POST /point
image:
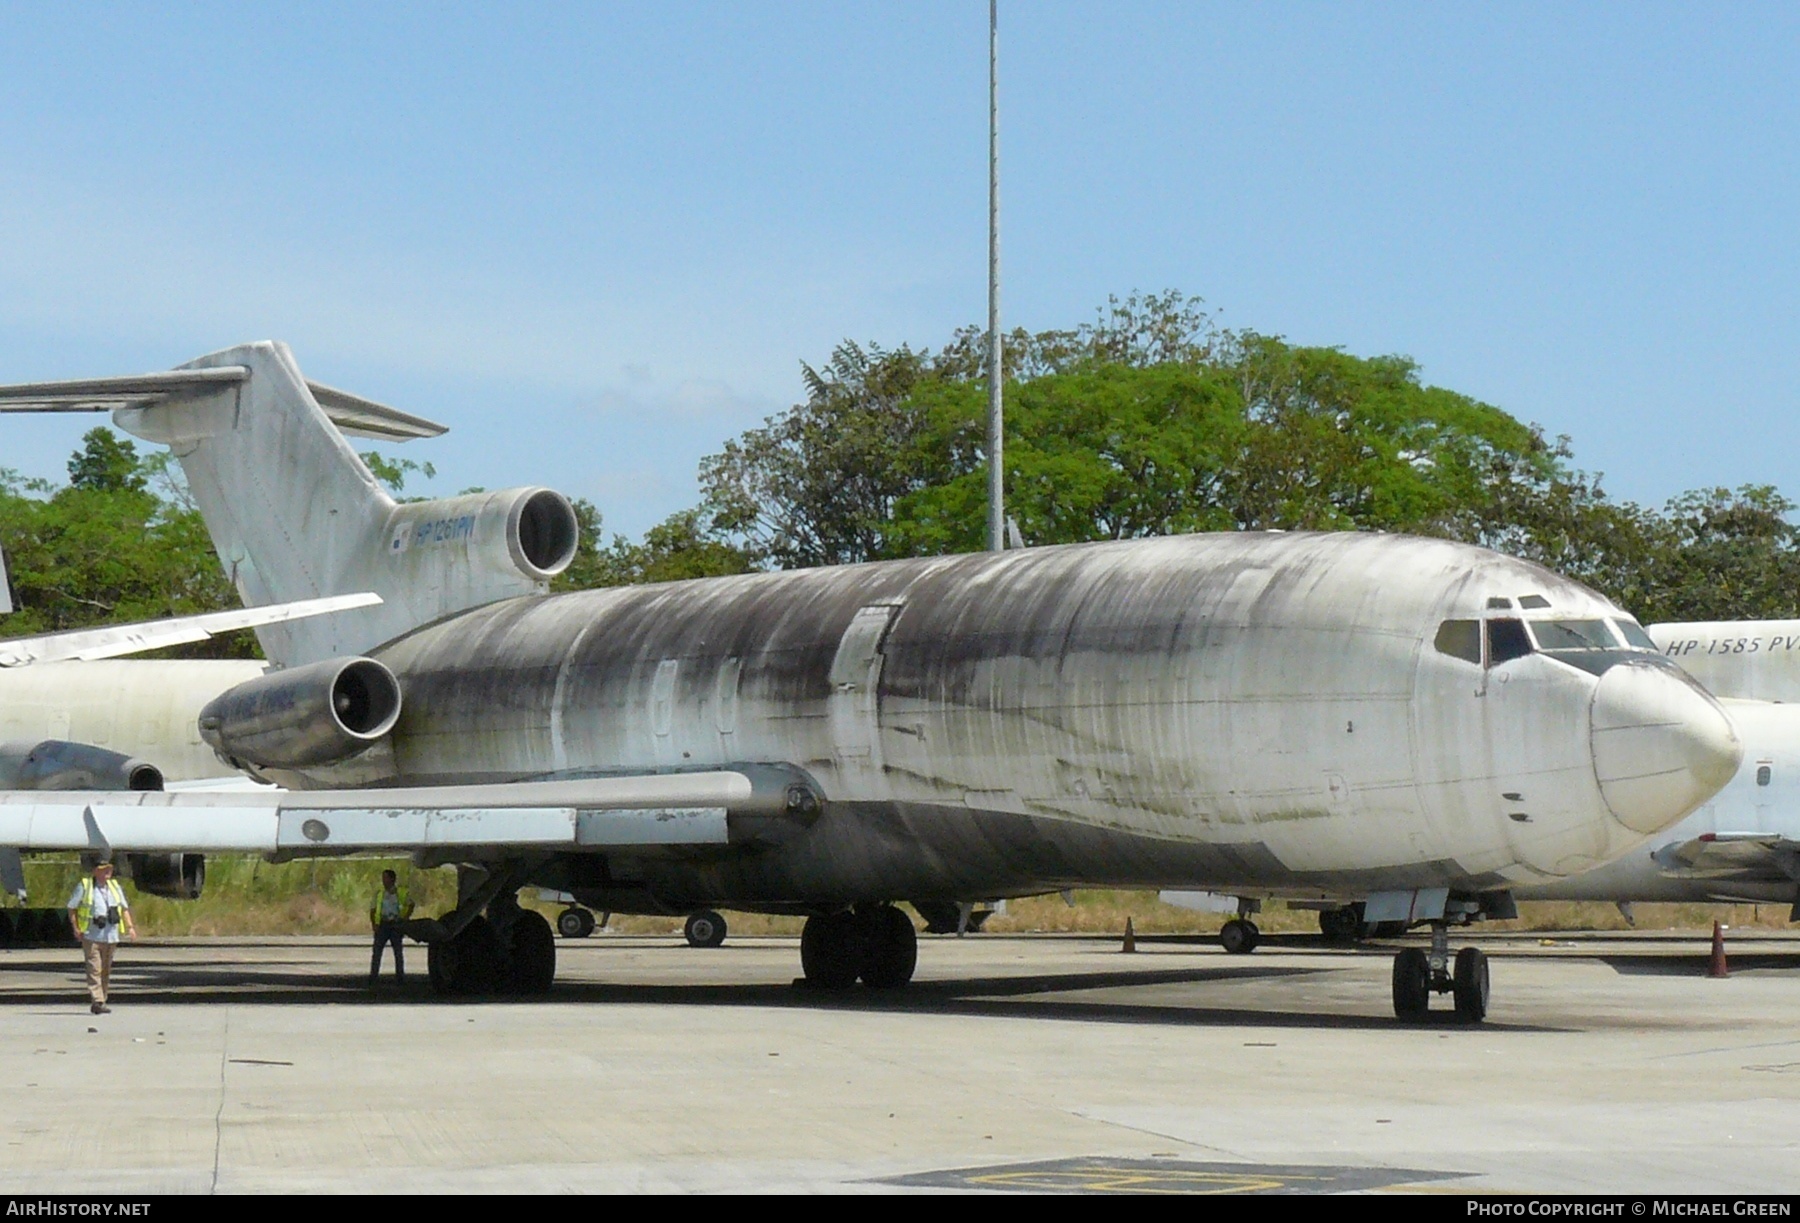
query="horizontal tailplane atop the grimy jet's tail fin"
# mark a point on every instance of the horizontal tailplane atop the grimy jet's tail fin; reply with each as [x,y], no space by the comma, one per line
[350,413]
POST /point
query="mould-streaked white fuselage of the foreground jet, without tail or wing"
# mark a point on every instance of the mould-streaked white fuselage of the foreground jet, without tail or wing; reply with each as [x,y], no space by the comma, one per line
[1257,711]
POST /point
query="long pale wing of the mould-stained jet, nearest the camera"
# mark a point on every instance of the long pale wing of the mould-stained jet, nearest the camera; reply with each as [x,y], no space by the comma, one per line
[588,813]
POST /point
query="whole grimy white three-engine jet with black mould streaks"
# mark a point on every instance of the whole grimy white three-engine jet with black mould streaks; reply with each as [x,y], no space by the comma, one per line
[1380,718]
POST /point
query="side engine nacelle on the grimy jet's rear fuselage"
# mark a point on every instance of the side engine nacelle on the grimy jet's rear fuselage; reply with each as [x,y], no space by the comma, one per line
[303,718]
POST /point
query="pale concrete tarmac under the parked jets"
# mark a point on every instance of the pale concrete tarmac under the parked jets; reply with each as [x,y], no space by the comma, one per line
[1610,1064]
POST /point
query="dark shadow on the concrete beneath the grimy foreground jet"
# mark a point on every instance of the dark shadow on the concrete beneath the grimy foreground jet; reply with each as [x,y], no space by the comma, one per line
[143,979]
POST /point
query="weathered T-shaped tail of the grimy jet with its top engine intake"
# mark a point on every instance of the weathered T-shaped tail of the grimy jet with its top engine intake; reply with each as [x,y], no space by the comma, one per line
[296,514]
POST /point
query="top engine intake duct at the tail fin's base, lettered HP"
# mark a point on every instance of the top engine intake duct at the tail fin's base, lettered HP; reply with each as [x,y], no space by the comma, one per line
[517,532]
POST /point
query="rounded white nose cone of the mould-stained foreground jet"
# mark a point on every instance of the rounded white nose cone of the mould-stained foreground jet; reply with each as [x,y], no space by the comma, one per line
[1660,747]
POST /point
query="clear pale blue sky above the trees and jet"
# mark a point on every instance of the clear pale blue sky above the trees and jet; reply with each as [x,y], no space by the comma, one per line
[598,240]
